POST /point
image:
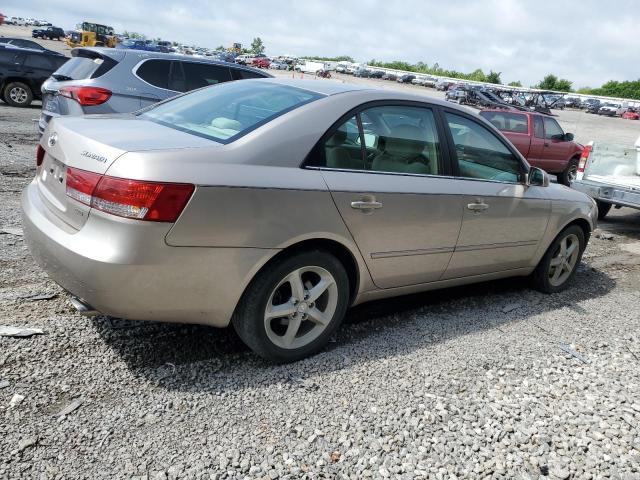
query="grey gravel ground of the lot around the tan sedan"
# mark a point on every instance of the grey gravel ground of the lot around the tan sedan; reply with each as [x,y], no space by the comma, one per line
[493,380]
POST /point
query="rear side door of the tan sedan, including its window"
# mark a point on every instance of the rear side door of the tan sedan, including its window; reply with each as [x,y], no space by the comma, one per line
[389,188]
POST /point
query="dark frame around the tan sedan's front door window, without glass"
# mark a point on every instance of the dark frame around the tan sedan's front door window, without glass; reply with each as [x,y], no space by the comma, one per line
[496,133]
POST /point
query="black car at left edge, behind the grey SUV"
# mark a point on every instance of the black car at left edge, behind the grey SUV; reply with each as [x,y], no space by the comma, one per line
[22,73]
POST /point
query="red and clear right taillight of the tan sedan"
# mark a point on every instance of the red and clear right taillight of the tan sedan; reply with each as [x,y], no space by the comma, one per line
[140,200]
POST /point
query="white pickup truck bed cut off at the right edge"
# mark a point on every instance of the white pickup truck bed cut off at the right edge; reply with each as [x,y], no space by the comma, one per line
[610,174]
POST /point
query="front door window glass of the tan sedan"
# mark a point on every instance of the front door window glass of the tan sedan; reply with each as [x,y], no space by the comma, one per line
[480,153]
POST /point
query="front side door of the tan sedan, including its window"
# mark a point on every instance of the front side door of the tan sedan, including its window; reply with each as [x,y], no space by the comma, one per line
[503,218]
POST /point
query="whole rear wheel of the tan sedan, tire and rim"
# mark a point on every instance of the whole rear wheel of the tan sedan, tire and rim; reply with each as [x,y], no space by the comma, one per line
[291,309]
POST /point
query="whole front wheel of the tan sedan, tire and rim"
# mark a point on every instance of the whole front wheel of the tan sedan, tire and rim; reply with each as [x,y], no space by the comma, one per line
[558,267]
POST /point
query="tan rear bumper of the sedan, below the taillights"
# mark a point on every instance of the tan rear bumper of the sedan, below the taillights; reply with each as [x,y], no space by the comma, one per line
[125,269]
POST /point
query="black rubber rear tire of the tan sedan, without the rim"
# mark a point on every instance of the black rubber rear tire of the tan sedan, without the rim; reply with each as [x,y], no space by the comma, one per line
[249,316]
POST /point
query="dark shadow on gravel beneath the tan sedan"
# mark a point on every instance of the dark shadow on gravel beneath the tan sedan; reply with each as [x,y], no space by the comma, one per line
[203,359]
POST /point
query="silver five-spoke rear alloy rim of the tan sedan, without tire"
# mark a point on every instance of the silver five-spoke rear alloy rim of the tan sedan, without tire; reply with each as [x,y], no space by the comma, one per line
[301,307]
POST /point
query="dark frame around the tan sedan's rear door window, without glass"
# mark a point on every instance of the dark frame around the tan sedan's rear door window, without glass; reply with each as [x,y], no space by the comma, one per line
[317,151]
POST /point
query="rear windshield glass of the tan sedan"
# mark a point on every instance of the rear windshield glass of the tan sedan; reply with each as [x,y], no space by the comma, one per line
[230,110]
